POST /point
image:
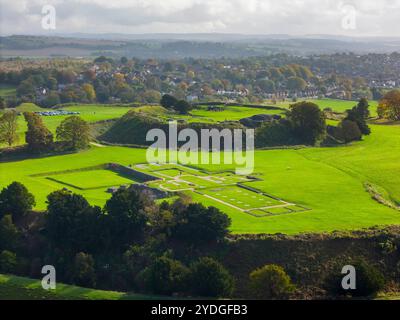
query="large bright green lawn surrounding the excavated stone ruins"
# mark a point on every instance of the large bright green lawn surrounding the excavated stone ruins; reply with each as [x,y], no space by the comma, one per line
[328,181]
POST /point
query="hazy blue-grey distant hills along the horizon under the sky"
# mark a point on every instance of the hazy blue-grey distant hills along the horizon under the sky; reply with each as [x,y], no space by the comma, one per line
[176,46]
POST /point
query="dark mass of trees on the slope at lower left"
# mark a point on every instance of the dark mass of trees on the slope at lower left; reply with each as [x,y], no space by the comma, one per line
[131,235]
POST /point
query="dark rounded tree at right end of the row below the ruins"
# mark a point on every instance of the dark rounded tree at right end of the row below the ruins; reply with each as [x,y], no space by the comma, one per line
[198,224]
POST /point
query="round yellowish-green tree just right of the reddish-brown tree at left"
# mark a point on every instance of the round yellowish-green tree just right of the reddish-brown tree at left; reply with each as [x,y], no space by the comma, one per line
[74,131]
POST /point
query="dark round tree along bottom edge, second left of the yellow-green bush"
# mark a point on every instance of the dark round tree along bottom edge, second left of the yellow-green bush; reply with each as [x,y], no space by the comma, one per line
[165,276]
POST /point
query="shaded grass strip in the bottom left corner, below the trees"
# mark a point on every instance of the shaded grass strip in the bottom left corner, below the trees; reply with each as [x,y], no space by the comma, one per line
[20,288]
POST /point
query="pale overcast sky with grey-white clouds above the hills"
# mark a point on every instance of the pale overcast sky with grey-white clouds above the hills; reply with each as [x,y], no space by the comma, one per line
[294,17]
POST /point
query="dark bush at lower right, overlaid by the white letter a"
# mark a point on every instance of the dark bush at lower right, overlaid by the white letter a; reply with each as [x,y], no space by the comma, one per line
[369,281]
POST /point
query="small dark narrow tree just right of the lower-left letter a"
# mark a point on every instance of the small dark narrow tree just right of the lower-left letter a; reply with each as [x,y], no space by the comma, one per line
[83,270]
